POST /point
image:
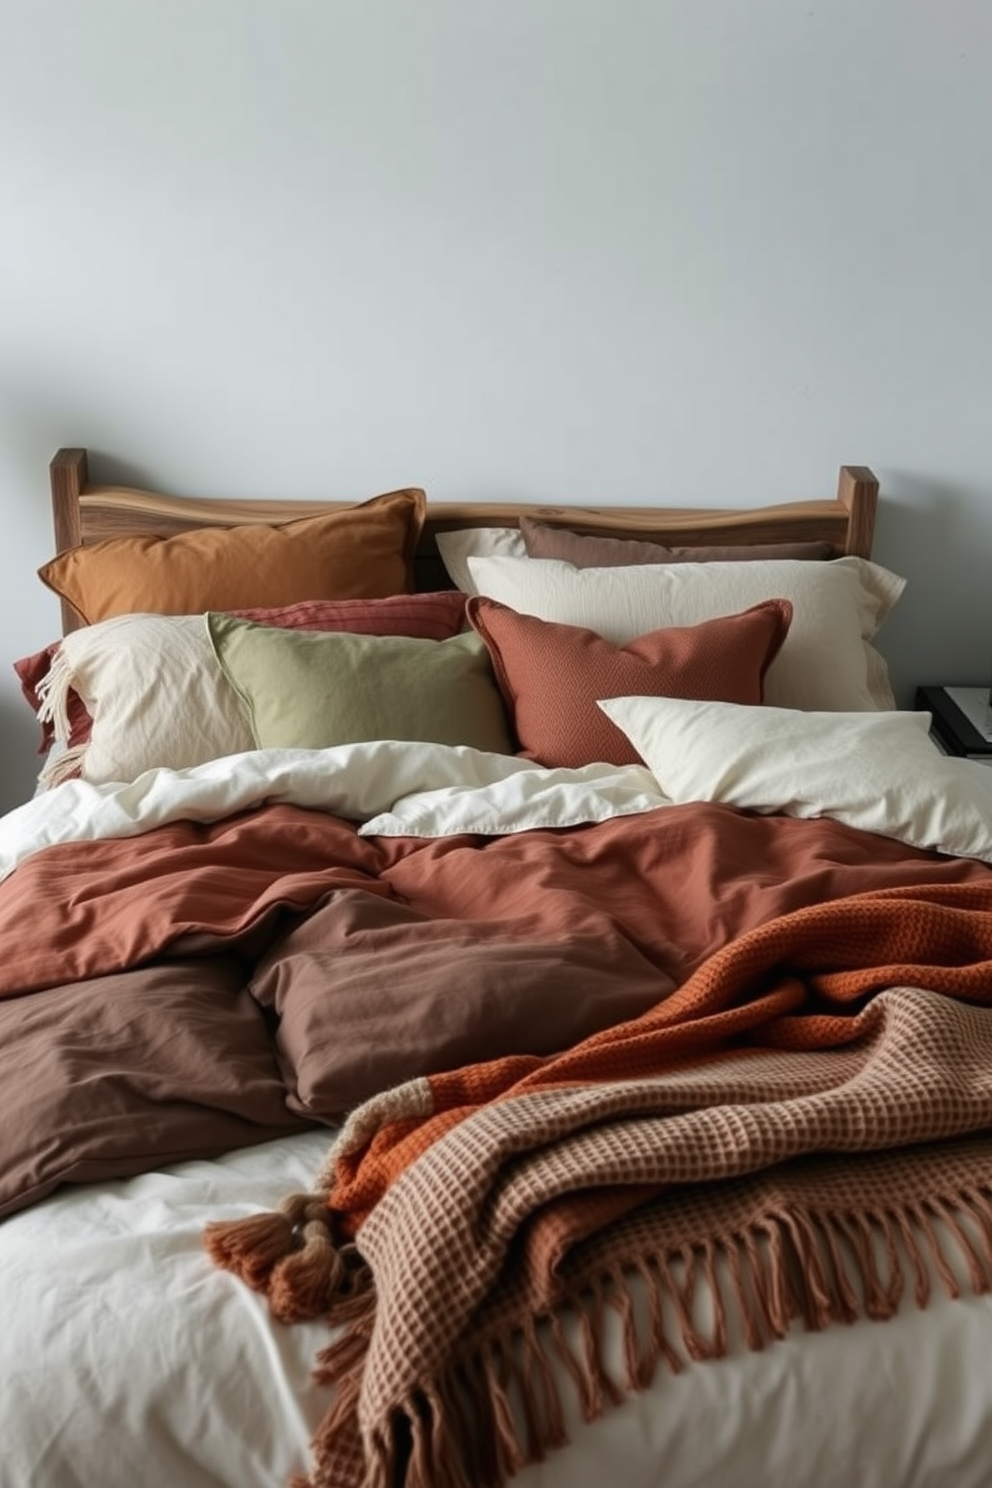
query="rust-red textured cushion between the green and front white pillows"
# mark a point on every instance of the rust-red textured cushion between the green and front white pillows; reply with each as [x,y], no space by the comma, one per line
[553,676]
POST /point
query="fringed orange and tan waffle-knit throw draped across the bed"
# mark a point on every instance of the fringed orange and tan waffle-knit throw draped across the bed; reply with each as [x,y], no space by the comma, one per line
[811,1100]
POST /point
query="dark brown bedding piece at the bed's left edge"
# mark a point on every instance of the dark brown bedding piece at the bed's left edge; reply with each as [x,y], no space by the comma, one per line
[121,1074]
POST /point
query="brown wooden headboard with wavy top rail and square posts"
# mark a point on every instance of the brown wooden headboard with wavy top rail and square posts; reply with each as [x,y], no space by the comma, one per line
[91,513]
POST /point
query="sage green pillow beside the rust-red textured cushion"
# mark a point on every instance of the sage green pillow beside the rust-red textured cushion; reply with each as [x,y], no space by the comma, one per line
[312,690]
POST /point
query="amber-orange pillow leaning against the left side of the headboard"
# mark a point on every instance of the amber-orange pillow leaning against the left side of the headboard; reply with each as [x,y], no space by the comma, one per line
[362,551]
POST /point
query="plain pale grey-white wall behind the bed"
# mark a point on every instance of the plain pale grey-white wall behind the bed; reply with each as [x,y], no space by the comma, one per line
[596,251]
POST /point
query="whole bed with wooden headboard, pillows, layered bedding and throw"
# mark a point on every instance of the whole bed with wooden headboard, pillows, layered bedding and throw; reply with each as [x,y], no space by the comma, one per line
[493,995]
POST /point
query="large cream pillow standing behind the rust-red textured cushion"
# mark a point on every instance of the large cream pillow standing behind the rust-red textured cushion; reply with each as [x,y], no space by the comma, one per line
[826,661]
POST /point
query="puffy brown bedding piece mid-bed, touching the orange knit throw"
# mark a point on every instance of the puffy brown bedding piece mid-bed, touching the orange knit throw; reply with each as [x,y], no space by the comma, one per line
[371,993]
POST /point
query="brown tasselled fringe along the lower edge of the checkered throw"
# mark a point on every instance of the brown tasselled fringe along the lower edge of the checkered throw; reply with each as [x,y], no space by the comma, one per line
[500,1404]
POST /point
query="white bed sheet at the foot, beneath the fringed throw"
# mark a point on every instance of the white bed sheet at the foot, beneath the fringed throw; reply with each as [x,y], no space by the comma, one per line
[114,1318]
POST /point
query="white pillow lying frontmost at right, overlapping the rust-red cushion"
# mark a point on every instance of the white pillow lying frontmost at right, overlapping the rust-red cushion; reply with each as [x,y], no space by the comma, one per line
[875,772]
